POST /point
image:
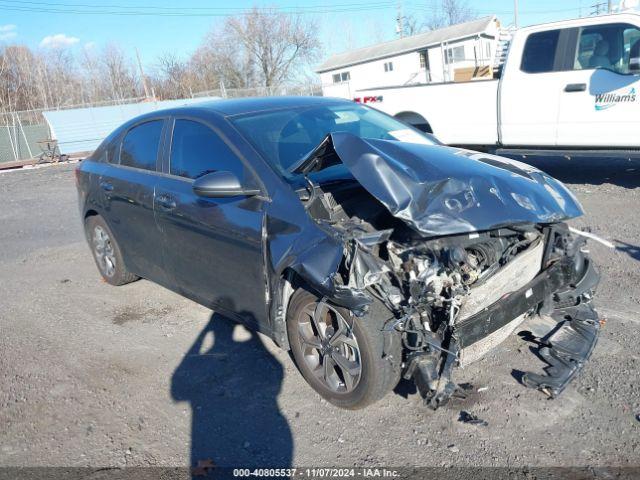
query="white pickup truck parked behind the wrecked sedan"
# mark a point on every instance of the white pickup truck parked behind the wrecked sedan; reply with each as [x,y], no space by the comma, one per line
[565,85]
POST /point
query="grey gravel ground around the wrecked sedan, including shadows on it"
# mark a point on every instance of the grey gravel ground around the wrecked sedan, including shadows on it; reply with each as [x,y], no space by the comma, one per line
[94,375]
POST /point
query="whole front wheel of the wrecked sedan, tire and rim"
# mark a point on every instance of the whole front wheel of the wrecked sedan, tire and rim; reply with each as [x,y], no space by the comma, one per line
[378,352]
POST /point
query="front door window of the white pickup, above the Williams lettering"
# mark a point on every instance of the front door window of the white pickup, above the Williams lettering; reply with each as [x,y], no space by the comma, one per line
[606,46]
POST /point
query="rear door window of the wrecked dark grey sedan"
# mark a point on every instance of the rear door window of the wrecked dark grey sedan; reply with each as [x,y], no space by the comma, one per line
[140,145]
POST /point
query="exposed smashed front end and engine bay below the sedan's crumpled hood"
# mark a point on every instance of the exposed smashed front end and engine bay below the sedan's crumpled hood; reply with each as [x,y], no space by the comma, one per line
[453,298]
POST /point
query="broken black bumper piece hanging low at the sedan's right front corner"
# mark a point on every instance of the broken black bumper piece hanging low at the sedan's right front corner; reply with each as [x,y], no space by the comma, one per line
[566,349]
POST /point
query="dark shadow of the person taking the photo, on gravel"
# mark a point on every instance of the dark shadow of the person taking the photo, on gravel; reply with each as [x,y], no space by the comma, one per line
[232,382]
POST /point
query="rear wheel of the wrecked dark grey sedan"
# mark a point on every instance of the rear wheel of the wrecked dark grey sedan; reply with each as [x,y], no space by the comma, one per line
[106,252]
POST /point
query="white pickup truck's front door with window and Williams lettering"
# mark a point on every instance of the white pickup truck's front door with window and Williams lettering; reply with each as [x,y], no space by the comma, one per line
[600,98]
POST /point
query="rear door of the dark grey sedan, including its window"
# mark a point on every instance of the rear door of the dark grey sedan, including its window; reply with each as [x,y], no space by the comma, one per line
[127,188]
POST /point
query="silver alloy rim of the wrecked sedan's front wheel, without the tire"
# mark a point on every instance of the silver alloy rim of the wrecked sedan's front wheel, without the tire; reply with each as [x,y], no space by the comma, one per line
[329,347]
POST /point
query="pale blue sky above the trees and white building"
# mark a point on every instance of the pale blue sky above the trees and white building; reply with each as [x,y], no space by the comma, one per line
[344,24]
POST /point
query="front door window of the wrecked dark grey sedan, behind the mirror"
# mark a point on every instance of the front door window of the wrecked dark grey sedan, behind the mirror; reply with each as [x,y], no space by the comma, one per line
[197,150]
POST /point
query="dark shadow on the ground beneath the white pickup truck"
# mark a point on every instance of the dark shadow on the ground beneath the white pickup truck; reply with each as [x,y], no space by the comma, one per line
[592,171]
